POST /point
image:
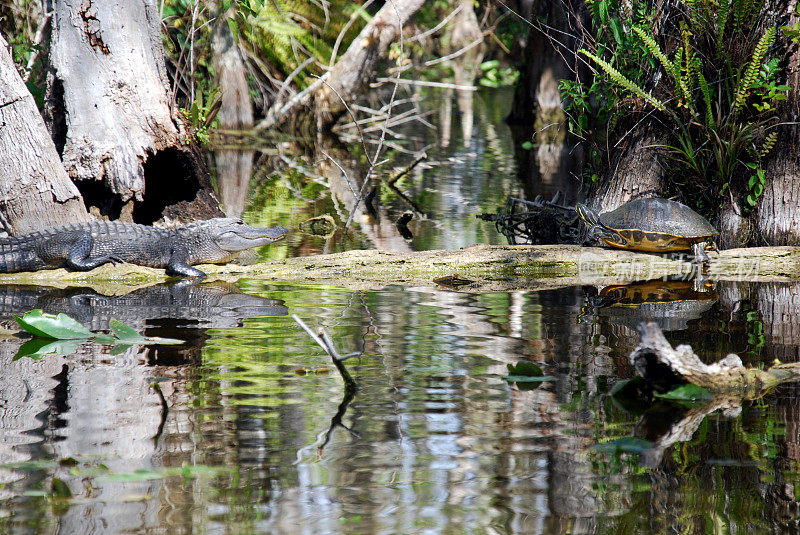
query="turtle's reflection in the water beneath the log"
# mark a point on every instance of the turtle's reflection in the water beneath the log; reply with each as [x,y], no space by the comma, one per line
[670,304]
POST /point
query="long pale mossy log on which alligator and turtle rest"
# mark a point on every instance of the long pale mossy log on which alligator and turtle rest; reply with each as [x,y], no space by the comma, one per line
[488,267]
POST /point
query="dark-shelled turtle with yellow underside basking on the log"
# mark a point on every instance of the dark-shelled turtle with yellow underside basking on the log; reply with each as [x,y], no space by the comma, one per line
[653,224]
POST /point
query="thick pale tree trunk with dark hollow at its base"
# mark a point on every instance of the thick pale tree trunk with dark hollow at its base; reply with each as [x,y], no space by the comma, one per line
[110,113]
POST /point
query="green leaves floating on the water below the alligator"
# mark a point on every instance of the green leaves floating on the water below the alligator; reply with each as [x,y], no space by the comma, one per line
[61,334]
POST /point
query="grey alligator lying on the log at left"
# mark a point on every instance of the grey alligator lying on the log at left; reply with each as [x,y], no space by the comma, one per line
[85,246]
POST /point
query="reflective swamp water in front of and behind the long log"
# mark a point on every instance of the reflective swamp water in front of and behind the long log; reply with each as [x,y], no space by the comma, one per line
[248,428]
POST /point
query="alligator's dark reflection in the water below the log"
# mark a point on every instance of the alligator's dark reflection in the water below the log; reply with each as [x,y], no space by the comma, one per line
[182,310]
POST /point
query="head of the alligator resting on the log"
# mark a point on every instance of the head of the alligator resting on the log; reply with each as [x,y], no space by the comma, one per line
[232,235]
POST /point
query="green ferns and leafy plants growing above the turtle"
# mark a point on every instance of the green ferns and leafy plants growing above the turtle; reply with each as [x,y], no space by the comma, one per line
[717,85]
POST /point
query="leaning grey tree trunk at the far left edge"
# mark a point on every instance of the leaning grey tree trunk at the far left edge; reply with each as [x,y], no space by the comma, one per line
[35,191]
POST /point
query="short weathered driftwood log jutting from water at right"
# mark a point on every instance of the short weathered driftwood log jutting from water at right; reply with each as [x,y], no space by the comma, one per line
[657,361]
